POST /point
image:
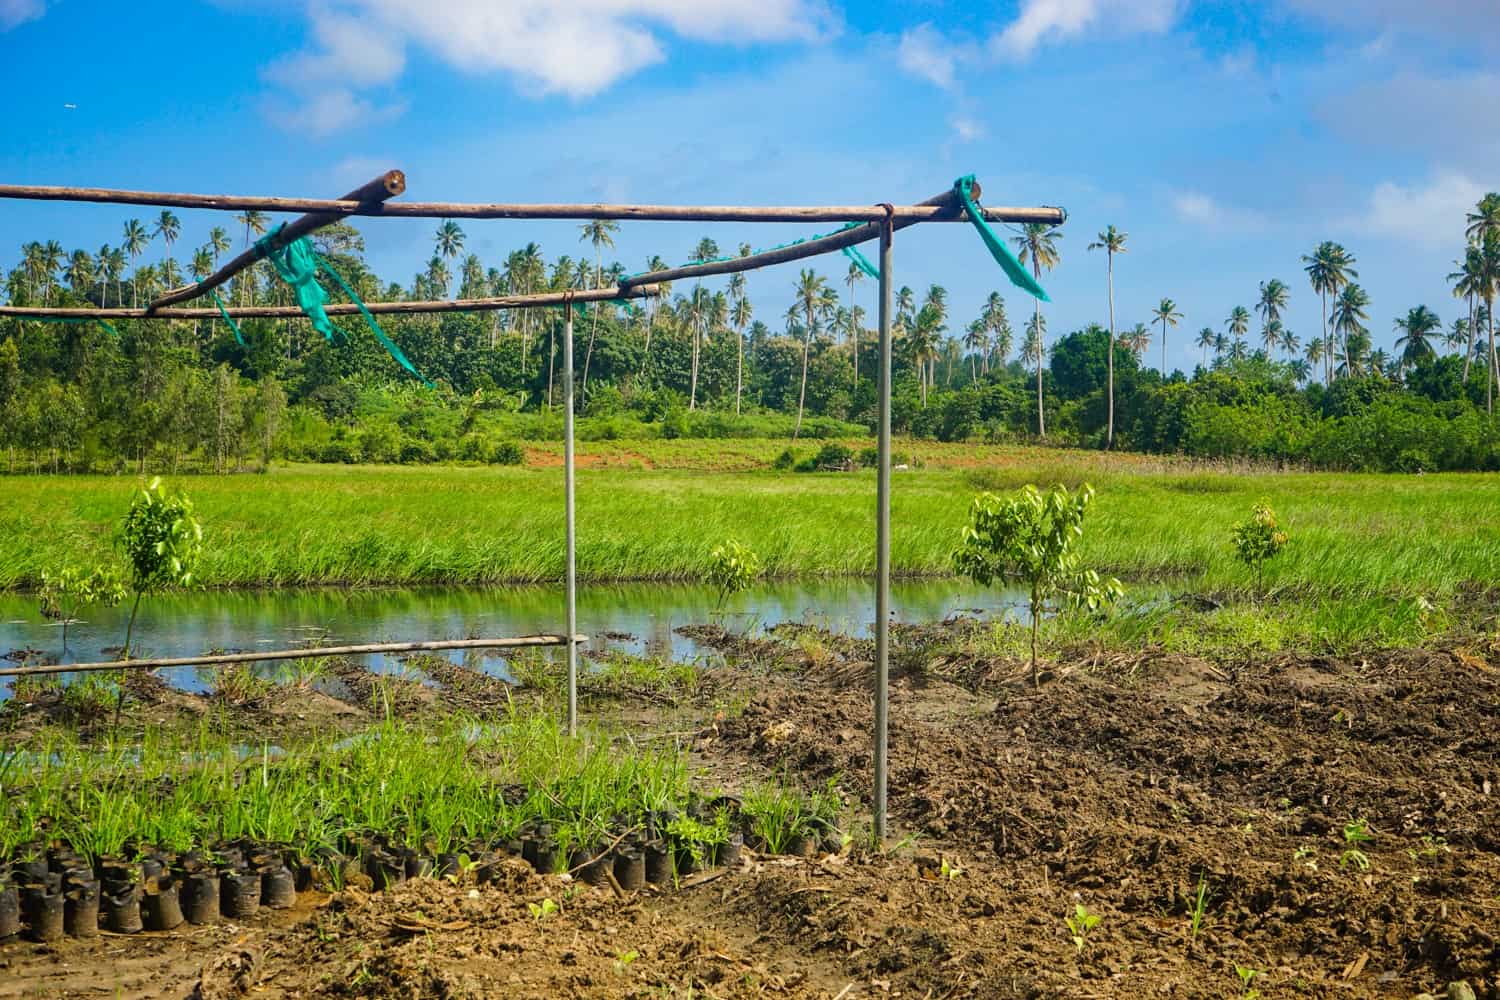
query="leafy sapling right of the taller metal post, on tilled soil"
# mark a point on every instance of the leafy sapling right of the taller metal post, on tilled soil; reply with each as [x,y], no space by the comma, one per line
[1030,537]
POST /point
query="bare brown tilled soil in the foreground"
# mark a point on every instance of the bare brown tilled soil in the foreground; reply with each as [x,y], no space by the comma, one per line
[1132,785]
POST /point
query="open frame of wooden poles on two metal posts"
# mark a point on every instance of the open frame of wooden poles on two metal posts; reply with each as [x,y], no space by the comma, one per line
[376,200]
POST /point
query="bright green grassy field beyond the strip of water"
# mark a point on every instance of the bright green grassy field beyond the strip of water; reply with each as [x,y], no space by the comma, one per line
[305,525]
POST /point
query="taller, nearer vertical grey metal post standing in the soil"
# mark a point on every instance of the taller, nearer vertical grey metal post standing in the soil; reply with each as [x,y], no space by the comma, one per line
[883,540]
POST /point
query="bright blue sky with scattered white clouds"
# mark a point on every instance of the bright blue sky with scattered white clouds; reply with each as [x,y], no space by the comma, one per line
[1225,137]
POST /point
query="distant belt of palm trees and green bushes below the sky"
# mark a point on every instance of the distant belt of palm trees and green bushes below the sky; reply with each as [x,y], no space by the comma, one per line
[175,397]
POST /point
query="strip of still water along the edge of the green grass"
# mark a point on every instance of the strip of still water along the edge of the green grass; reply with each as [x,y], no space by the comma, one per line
[635,618]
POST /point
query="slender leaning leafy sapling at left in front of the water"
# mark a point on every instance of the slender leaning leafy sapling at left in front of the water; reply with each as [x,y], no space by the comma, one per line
[161,542]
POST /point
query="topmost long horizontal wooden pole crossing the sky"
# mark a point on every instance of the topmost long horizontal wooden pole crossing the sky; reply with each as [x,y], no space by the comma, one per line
[508,211]
